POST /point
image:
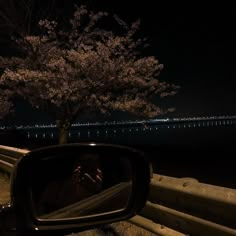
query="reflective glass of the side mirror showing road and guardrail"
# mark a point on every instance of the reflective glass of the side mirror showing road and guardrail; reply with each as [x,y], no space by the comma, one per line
[81,184]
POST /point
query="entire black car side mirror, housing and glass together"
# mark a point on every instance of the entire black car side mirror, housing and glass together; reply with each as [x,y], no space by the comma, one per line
[68,188]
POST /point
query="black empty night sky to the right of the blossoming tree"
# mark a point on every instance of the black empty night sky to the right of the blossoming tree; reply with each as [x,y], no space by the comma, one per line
[196,44]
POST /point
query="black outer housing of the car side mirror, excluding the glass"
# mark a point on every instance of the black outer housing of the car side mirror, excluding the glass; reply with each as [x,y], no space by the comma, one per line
[21,198]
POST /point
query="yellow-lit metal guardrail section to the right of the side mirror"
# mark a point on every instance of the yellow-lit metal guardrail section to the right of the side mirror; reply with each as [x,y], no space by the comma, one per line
[183,206]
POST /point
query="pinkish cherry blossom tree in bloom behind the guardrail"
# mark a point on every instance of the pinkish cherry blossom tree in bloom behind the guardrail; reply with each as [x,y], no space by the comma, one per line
[84,67]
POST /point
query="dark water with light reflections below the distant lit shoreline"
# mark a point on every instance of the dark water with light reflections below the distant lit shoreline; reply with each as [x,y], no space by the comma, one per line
[205,153]
